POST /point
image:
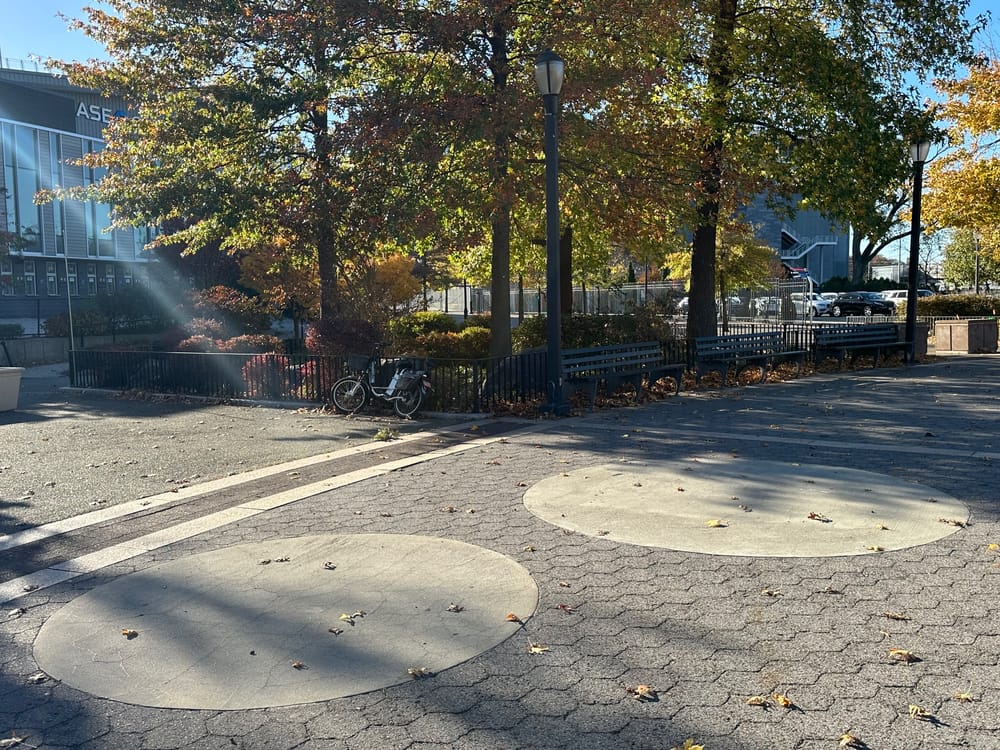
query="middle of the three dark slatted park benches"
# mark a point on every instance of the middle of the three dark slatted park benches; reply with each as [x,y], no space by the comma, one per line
[742,350]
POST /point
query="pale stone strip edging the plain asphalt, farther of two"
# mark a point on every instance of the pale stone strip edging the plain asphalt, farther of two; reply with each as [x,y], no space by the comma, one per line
[191,492]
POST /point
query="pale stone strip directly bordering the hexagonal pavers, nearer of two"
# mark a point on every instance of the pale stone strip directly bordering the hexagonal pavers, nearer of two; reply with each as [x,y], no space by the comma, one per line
[65,570]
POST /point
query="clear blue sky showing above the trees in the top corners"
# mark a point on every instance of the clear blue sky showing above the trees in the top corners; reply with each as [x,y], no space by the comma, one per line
[33,28]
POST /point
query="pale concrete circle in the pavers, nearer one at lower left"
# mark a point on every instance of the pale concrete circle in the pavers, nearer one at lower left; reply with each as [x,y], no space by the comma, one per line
[324,617]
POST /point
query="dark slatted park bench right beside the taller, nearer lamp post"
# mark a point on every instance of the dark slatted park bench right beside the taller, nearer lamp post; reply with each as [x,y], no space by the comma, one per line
[616,365]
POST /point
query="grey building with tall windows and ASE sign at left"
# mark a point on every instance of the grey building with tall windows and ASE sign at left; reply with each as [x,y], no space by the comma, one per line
[45,125]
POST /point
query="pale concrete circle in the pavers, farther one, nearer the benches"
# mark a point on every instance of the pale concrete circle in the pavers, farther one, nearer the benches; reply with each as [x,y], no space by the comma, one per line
[728,506]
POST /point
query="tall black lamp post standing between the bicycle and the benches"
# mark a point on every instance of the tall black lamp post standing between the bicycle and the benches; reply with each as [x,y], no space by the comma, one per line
[549,76]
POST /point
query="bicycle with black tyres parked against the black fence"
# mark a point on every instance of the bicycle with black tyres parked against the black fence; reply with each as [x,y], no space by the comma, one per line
[404,384]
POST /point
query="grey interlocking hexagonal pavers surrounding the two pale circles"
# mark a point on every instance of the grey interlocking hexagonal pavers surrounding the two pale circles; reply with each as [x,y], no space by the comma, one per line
[707,632]
